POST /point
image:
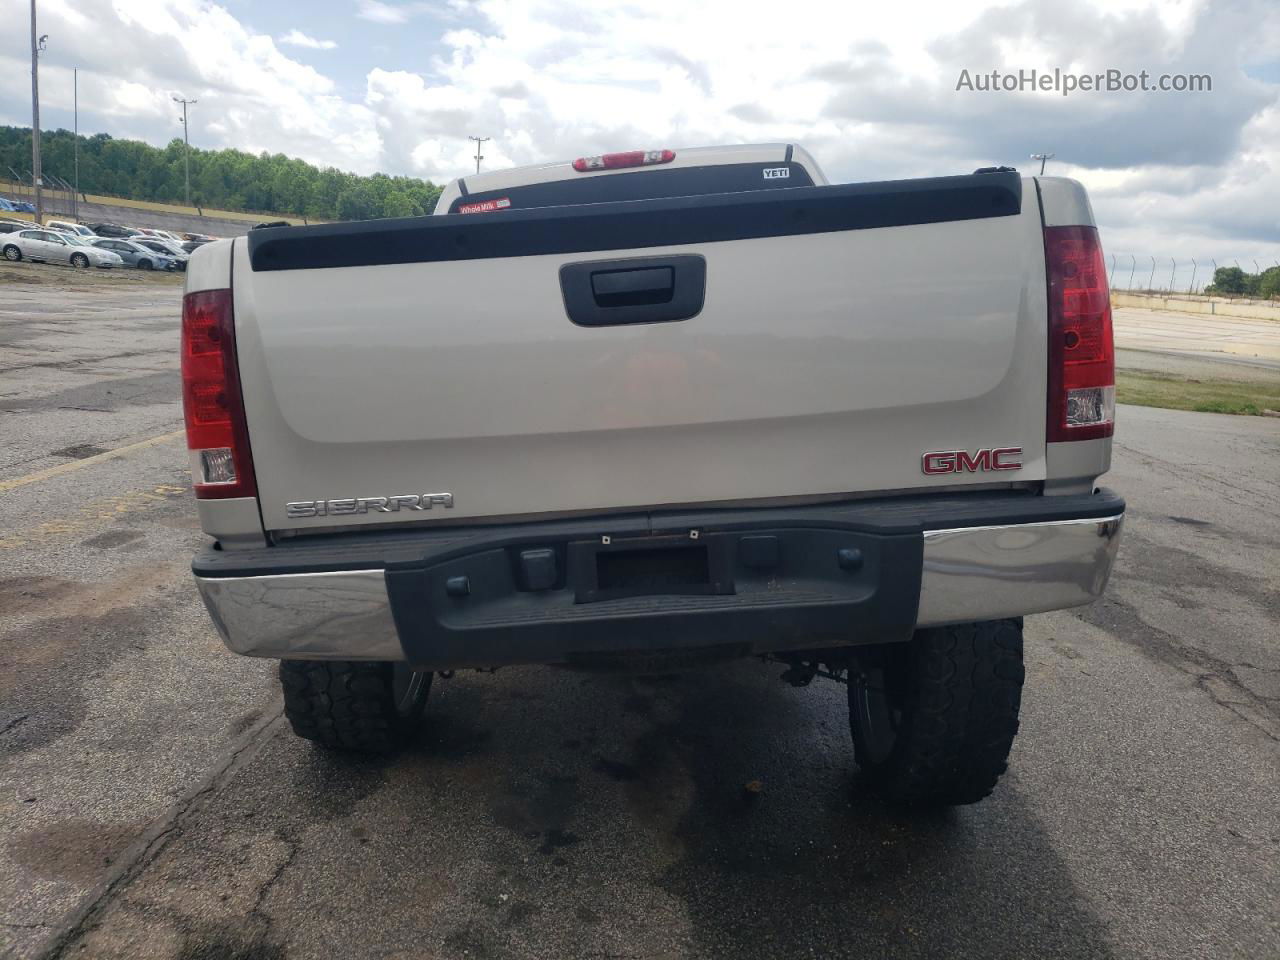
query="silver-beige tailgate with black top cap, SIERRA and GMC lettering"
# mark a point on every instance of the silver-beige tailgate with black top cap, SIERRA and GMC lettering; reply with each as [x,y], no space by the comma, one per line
[840,335]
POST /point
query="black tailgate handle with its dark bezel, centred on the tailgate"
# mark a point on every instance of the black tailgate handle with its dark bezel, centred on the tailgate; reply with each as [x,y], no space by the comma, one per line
[634,291]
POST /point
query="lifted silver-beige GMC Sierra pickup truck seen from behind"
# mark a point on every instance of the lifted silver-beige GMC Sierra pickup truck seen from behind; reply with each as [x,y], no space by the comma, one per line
[657,412]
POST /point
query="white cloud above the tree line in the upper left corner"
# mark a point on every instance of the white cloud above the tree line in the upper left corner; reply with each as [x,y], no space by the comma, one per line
[132,61]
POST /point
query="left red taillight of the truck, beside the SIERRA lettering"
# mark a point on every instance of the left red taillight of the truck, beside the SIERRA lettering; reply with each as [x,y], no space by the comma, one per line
[212,401]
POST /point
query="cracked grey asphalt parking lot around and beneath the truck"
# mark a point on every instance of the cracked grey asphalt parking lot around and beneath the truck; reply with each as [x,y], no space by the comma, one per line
[153,803]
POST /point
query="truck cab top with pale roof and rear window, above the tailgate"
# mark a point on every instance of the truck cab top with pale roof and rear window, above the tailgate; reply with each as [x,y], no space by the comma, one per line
[689,172]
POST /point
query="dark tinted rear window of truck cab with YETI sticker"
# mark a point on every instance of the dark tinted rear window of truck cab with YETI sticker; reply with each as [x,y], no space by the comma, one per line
[638,185]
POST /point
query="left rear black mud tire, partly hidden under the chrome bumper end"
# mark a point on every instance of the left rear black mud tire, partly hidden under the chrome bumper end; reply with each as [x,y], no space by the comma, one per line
[362,707]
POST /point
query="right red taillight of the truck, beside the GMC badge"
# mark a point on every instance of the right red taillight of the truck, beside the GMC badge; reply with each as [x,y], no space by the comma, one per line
[1082,365]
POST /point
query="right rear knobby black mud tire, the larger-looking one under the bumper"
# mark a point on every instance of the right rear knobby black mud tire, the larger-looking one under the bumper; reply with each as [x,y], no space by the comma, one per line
[934,720]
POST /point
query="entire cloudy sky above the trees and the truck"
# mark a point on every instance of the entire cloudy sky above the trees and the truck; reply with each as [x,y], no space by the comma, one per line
[871,89]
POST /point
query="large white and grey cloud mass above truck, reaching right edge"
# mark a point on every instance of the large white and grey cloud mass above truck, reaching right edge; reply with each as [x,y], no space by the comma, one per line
[872,93]
